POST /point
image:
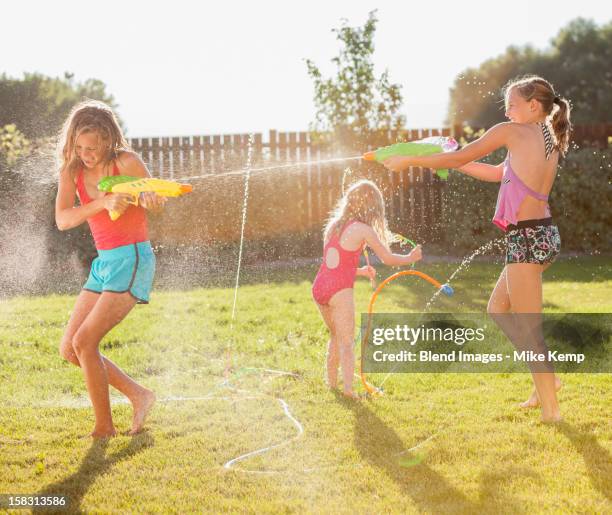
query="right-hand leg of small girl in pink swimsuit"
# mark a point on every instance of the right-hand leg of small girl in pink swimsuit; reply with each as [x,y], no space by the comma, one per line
[343,316]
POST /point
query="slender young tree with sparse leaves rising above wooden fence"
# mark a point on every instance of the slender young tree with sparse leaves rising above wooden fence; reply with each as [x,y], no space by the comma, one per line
[354,104]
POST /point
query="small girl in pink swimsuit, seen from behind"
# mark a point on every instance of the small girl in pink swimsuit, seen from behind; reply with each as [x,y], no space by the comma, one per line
[358,220]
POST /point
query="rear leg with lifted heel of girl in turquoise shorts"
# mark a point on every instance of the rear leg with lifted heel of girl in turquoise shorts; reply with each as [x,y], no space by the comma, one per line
[139,396]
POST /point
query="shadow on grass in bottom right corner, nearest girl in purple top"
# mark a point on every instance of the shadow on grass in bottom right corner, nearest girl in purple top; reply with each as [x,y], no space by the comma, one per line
[597,460]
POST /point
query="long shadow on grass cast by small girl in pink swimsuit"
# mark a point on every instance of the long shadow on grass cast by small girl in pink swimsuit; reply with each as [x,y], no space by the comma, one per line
[428,489]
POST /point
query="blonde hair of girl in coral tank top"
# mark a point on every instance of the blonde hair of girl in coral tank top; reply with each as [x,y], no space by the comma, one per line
[85,117]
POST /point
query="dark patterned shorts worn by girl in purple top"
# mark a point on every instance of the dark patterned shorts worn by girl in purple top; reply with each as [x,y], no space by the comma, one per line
[532,241]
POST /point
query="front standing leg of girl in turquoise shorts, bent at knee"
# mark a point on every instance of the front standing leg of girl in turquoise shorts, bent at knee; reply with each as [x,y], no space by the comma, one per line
[108,311]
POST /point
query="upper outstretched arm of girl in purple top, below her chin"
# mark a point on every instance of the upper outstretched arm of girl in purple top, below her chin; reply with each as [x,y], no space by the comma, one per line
[491,140]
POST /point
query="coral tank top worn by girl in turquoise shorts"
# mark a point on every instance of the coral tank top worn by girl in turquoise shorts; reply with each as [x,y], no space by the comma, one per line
[129,228]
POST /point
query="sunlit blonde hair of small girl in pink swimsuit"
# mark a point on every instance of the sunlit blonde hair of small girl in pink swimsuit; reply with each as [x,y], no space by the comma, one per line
[362,201]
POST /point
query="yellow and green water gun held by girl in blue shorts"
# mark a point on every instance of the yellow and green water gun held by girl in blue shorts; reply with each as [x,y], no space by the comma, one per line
[134,186]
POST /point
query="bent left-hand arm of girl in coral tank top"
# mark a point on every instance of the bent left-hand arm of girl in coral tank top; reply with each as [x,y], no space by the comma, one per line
[68,216]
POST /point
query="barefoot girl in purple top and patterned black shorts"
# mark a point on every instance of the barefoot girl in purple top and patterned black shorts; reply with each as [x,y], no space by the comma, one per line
[536,135]
